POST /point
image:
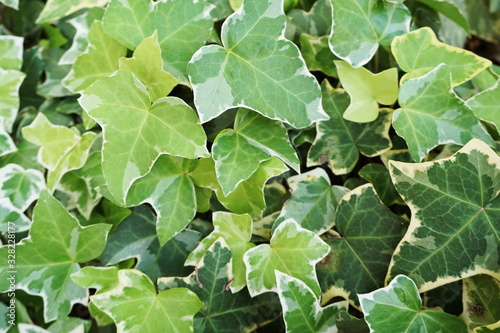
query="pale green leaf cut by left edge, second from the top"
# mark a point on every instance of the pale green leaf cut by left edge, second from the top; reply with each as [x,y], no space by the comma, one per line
[10,81]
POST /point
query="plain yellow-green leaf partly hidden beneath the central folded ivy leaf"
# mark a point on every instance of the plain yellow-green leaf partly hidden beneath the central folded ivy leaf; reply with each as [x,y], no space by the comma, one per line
[248,197]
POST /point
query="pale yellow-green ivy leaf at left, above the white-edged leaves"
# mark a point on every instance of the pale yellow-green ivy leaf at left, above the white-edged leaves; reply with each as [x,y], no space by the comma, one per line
[62,149]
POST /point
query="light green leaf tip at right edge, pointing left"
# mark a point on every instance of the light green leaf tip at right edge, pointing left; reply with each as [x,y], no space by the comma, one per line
[486,105]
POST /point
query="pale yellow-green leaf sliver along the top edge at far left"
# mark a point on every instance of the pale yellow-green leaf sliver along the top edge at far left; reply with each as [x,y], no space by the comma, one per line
[56,9]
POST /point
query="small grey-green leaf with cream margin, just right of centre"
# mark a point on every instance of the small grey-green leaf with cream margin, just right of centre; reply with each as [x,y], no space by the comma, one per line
[313,203]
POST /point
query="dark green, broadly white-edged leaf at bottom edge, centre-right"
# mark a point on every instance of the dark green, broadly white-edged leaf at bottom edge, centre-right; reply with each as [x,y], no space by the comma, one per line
[301,309]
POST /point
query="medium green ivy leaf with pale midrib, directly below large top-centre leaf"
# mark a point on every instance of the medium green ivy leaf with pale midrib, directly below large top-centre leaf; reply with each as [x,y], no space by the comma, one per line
[238,153]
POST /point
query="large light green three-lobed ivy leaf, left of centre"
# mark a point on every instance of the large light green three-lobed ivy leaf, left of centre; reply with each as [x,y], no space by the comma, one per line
[122,106]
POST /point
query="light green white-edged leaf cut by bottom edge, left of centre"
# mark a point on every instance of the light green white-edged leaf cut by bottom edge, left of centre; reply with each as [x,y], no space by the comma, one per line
[135,306]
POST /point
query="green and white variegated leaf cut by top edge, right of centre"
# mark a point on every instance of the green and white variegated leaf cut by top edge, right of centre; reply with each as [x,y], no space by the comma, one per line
[376,22]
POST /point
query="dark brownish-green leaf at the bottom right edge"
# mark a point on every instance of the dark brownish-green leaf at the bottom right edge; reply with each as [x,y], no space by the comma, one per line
[481,300]
